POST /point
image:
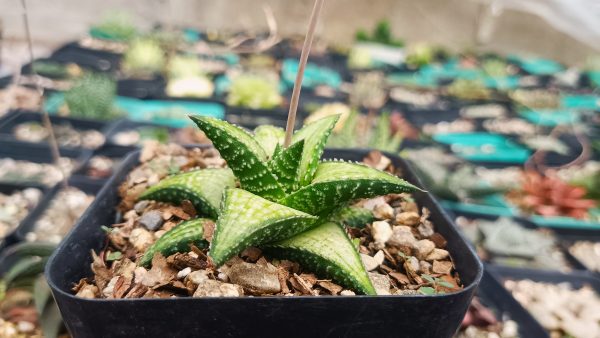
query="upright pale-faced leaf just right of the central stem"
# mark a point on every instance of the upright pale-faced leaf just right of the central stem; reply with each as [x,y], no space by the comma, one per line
[315,137]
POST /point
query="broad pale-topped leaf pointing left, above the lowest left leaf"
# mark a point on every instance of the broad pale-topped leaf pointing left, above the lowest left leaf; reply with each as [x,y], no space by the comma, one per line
[204,188]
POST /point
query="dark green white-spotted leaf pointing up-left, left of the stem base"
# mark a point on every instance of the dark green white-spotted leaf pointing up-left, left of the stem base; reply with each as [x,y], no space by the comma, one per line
[243,155]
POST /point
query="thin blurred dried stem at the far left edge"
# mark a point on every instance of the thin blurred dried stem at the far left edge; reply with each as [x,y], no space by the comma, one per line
[45,117]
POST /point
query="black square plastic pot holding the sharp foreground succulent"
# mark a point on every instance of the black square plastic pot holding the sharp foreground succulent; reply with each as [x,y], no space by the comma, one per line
[359,316]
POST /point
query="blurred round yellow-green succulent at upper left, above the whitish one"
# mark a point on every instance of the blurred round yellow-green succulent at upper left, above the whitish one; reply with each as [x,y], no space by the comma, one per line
[144,57]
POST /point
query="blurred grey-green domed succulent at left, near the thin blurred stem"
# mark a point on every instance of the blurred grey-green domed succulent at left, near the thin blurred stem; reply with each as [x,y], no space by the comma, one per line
[92,97]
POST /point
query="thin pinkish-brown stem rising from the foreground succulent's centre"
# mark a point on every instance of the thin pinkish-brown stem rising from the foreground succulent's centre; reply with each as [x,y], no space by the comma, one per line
[289,130]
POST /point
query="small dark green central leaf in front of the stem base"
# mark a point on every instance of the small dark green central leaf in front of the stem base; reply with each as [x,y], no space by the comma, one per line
[284,165]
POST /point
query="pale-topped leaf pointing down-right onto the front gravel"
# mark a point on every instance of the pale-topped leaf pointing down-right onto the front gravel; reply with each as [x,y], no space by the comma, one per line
[326,250]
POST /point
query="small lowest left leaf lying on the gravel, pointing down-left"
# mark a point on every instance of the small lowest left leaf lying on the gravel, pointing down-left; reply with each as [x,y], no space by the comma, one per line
[178,239]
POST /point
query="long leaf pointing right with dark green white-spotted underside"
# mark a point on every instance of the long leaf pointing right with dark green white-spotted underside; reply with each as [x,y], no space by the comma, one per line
[337,182]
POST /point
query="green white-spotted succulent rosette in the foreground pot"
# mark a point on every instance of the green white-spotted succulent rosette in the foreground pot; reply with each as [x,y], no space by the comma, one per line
[286,198]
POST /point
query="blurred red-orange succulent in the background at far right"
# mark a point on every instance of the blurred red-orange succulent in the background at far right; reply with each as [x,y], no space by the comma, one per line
[550,196]
